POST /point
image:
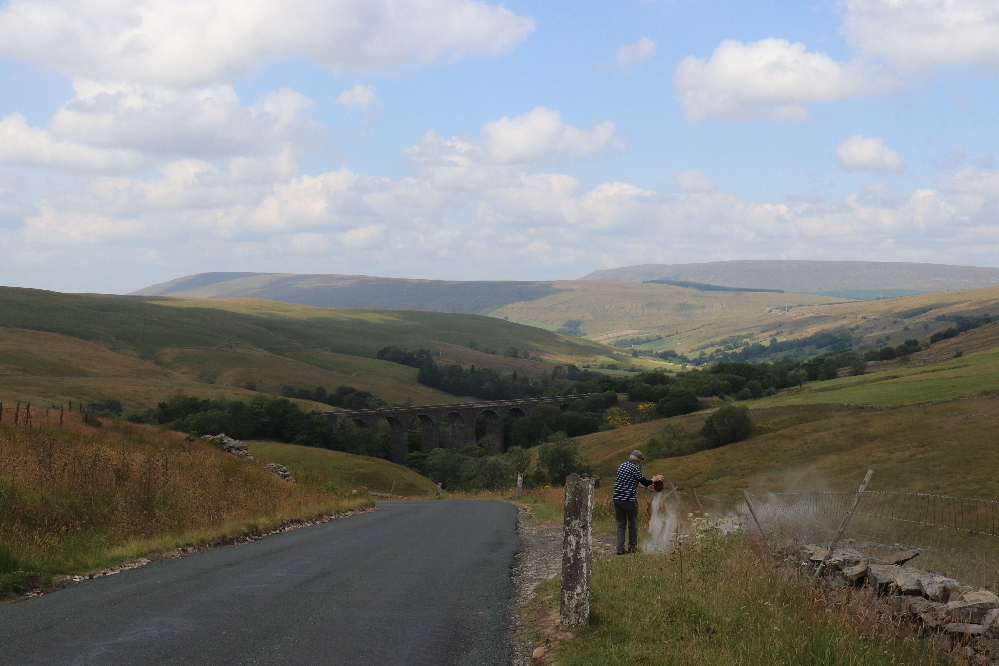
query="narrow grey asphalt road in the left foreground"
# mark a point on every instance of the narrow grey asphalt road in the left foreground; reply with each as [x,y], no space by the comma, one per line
[411,583]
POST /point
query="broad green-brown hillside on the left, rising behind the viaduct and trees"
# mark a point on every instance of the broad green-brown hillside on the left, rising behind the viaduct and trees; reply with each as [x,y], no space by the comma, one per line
[56,348]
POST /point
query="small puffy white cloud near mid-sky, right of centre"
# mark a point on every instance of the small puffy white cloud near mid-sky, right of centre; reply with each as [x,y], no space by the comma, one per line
[542,134]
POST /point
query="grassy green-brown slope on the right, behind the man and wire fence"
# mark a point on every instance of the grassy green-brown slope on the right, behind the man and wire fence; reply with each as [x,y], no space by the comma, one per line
[923,428]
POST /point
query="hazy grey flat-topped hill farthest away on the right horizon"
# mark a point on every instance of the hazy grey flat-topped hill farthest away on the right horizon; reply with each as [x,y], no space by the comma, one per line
[847,279]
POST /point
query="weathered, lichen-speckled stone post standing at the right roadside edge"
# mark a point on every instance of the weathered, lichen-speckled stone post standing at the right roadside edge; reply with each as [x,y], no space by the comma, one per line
[577,552]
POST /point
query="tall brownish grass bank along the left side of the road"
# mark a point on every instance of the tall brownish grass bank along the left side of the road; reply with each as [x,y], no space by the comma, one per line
[77,498]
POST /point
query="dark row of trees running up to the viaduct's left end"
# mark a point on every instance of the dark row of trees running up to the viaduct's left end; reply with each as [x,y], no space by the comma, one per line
[263,417]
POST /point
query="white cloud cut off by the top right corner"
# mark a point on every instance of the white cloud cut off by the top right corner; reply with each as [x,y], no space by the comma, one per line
[917,33]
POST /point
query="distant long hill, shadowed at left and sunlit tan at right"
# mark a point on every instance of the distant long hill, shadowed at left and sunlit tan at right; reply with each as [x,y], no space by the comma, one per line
[602,307]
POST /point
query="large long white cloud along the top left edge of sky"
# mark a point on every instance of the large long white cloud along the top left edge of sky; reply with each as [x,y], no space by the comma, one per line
[180,43]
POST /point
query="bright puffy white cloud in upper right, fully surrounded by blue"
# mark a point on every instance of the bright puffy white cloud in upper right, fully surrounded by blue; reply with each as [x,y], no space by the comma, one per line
[771,78]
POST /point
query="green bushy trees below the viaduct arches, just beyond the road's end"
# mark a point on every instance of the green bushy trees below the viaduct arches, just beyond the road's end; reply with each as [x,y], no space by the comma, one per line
[472,469]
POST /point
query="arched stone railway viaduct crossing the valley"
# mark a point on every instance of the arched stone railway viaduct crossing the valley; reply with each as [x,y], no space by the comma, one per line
[462,416]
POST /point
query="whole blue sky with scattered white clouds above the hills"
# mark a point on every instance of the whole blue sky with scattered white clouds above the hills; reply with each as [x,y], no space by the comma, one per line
[468,140]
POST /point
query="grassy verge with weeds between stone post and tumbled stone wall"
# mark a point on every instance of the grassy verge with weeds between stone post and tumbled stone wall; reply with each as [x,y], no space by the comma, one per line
[722,600]
